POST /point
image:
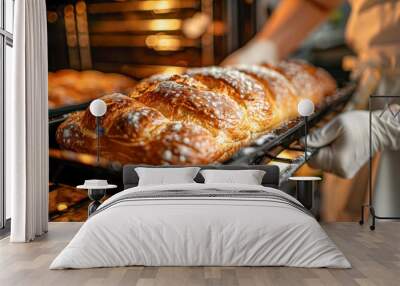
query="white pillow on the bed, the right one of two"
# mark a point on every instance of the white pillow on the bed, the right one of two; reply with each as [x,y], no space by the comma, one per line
[248,177]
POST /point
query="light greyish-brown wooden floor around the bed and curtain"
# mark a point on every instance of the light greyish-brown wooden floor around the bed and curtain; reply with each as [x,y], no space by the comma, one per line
[375,257]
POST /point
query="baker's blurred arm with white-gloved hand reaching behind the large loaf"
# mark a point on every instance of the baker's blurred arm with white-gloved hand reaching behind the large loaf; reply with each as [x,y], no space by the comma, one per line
[283,33]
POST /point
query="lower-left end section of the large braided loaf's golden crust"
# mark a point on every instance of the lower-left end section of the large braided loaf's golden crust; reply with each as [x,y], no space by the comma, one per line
[134,133]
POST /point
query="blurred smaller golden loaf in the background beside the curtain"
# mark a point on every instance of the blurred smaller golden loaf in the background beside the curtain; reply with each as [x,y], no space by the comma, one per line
[67,87]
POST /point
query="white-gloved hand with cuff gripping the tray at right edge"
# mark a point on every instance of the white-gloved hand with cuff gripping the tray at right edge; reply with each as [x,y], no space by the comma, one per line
[344,142]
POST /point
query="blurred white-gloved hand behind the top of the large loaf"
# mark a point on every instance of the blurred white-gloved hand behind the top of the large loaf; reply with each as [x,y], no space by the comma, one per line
[254,52]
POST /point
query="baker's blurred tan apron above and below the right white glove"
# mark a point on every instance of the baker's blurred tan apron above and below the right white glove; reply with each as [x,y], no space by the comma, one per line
[373,31]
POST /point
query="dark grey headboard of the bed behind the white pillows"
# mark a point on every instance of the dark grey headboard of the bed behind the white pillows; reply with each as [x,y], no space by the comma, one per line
[271,177]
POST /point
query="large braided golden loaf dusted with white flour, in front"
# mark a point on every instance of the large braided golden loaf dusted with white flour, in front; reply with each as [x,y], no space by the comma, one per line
[200,117]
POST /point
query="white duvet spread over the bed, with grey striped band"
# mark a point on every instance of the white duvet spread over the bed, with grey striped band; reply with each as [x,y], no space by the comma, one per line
[200,231]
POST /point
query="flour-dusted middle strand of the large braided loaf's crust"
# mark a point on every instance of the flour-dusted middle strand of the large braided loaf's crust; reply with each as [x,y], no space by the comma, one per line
[219,114]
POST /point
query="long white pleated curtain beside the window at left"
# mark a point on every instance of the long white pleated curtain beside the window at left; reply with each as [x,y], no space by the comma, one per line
[27,124]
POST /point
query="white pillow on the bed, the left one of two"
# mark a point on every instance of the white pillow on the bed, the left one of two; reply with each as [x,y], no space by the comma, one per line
[164,176]
